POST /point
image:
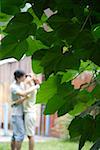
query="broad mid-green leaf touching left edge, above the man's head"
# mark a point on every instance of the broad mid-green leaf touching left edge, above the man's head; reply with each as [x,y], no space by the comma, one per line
[10,47]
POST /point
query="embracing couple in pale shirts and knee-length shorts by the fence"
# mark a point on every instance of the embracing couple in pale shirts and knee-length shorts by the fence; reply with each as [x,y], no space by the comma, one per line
[23,93]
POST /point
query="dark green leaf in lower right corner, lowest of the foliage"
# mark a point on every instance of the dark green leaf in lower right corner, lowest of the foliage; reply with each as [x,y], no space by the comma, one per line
[80,126]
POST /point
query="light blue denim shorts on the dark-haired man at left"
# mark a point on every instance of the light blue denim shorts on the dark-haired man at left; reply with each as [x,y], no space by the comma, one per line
[18,128]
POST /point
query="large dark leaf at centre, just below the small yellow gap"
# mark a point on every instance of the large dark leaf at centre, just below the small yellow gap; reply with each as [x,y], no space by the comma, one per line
[54,60]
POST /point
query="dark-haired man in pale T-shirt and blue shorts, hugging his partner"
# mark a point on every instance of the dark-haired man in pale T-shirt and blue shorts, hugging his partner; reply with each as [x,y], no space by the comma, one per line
[18,93]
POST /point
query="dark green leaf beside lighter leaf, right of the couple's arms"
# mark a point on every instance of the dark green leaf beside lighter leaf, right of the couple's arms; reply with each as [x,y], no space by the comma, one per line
[68,94]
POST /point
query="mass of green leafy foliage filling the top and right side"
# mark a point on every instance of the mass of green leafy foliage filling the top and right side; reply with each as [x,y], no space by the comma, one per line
[63,44]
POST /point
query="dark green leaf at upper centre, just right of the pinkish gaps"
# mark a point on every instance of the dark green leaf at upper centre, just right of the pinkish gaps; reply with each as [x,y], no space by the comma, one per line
[64,28]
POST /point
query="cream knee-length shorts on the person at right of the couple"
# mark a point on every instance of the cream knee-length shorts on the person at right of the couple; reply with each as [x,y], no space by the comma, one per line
[29,124]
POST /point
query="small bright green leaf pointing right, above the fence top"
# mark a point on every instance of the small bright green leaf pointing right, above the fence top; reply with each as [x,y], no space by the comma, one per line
[34,45]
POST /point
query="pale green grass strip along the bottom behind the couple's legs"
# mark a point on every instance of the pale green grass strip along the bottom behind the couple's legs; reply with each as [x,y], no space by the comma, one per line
[52,145]
